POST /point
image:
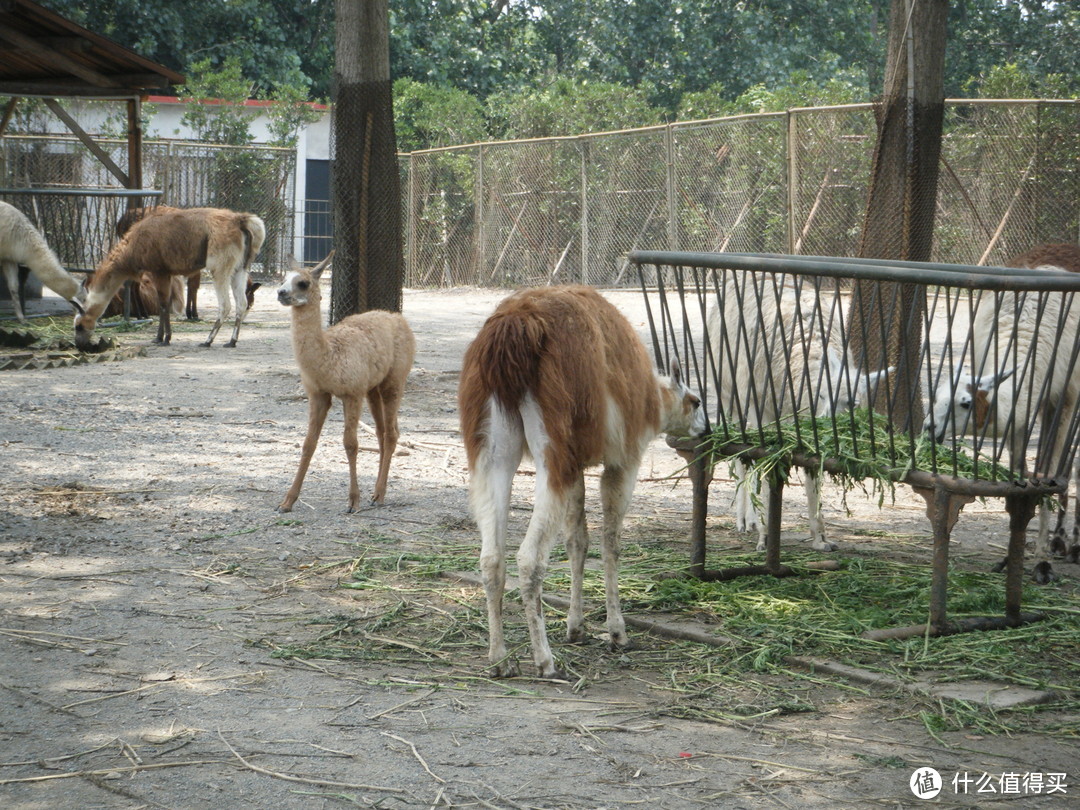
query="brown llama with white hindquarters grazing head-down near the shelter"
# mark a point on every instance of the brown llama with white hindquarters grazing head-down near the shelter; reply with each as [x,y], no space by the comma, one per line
[178,242]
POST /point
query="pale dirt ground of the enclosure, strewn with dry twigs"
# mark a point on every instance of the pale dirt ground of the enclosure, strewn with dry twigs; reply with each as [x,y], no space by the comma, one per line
[146,578]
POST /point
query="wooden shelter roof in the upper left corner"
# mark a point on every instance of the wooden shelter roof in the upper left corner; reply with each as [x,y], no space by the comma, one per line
[44,55]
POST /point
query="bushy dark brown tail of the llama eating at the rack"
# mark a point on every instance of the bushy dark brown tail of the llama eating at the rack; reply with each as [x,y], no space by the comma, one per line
[504,364]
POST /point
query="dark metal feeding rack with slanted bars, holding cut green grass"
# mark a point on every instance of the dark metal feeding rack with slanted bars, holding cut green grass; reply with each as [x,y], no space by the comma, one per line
[834,366]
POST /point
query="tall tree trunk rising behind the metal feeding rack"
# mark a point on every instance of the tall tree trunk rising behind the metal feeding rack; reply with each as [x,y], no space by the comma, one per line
[887,318]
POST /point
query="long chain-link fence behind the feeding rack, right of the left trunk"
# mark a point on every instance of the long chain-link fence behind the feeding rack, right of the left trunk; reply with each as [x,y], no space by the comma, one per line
[570,210]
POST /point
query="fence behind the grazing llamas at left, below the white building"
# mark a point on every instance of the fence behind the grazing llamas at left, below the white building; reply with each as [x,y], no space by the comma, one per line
[260,180]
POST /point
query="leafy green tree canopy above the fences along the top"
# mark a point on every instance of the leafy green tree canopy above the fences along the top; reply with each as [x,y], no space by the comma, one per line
[541,67]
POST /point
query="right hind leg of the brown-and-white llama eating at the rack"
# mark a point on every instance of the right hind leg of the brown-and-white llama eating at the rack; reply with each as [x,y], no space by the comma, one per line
[549,516]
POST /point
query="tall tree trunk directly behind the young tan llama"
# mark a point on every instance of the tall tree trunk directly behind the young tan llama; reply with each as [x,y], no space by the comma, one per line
[369,261]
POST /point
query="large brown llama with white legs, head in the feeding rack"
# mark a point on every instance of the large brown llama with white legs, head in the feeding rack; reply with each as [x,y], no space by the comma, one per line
[559,373]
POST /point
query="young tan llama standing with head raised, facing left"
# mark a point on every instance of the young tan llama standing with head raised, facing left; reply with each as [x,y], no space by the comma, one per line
[366,356]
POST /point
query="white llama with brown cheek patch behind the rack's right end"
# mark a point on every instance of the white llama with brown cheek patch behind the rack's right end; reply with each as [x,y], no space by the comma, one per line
[977,403]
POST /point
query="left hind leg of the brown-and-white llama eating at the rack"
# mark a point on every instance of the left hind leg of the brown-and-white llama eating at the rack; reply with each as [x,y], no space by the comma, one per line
[492,480]
